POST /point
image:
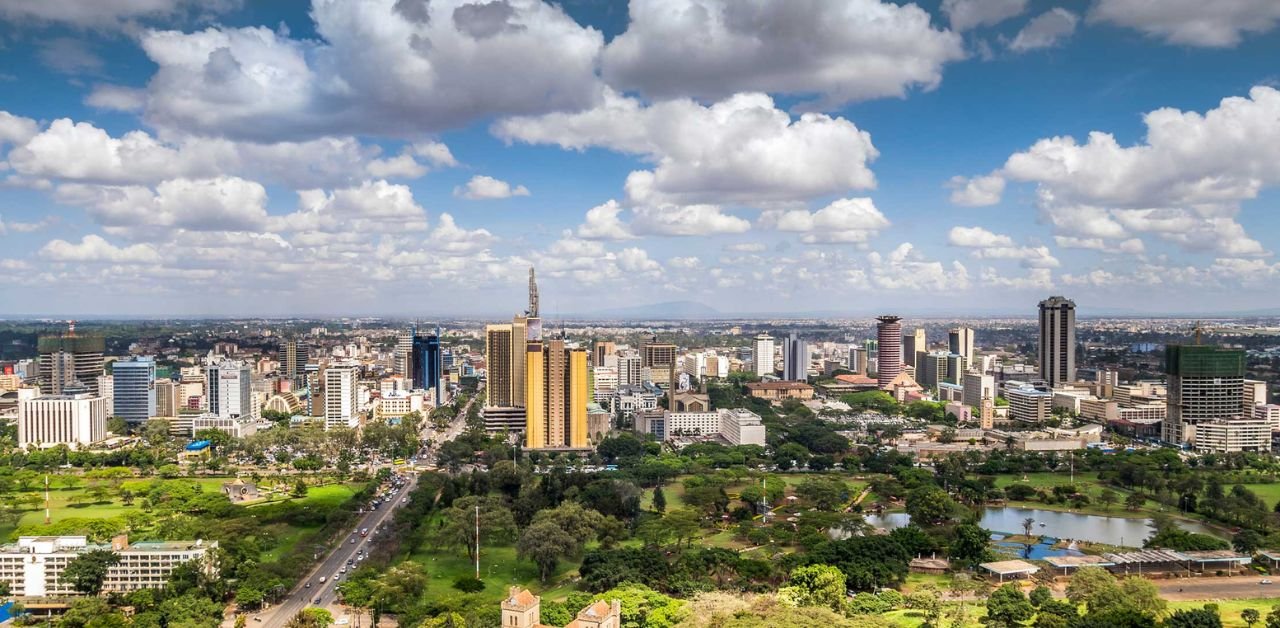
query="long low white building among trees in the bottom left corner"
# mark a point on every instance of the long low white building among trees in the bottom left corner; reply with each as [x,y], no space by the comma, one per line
[34,566]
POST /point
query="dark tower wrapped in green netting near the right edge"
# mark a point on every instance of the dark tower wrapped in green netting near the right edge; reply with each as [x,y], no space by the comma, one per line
[1205,384]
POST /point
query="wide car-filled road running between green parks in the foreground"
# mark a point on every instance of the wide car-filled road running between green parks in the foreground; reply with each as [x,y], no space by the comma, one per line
[301,597]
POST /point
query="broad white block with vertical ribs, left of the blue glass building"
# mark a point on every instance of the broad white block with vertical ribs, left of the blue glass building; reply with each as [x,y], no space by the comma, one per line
[74,420]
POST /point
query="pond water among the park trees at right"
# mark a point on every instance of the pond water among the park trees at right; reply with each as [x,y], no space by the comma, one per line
[1086,528]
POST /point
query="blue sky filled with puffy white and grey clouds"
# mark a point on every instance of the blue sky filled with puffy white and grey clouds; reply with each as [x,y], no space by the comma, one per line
[415,158]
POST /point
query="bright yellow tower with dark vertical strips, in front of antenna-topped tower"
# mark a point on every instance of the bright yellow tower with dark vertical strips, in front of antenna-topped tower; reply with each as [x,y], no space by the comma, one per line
[556,396]
